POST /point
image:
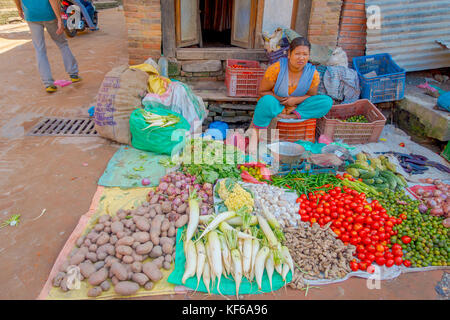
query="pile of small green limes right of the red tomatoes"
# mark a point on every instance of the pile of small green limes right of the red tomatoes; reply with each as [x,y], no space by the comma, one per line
[430,242]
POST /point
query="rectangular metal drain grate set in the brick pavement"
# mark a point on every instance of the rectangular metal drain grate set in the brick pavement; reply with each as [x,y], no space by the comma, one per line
[64,127]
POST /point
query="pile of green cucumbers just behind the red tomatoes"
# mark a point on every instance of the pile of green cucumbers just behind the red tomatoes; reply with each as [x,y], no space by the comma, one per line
[377,172]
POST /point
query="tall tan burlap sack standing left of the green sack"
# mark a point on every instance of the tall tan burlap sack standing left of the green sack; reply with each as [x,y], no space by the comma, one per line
[120,93]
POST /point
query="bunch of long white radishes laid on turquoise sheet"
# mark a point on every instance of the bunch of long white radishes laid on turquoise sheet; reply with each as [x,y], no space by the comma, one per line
[218,248]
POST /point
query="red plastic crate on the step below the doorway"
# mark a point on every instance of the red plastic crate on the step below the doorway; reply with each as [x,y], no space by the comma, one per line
[243,81]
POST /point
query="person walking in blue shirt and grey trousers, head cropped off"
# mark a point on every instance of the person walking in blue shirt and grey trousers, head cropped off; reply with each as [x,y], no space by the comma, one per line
[40,14]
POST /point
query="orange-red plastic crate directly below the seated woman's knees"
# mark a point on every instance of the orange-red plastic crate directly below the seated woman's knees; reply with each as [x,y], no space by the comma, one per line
[293,131]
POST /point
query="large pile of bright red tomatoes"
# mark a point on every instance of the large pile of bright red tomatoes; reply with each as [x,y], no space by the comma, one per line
[355,221]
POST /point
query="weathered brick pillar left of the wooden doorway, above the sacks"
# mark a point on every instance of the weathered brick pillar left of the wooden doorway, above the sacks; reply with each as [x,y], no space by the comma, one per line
[143,21]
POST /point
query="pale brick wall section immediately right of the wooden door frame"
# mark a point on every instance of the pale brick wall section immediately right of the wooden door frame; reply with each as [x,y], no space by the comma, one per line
[324,22]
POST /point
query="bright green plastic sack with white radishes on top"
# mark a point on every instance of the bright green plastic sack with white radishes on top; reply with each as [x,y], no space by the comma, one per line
[156,139]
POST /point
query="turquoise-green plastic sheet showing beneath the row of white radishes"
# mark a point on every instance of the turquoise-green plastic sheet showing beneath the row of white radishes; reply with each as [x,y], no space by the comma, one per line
[227,286]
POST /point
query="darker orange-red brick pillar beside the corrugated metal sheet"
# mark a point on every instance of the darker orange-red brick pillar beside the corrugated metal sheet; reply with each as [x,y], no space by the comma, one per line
[352,32]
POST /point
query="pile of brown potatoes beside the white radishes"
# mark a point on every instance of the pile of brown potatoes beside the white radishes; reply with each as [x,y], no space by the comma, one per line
[117,247]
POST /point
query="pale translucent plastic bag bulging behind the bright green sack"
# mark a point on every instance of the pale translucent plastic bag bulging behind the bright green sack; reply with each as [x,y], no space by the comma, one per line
[181,99]
